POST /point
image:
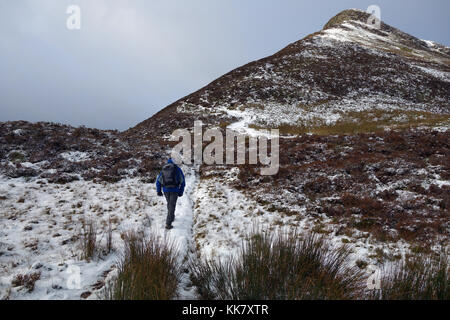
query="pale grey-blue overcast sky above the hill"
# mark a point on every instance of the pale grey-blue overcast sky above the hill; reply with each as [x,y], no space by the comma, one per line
[132,58]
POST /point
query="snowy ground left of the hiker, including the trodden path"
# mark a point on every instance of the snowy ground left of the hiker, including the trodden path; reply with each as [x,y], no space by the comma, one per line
[40,227]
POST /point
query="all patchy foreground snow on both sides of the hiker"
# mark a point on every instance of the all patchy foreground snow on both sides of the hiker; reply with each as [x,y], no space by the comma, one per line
[40,227]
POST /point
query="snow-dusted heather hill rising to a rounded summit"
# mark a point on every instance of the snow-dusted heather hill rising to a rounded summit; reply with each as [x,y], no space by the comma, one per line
[345,73]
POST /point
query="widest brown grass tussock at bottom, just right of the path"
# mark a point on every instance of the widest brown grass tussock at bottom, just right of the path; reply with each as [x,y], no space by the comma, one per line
[285,266]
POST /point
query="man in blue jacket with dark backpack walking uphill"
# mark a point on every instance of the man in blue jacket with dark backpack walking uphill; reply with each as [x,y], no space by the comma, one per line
[171,179]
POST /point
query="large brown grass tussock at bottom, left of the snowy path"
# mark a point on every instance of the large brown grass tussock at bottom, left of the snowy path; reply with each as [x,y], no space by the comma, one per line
[148,270]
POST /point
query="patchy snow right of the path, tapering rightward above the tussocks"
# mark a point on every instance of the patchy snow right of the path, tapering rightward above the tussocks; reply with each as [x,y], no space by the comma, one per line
[225,216]
